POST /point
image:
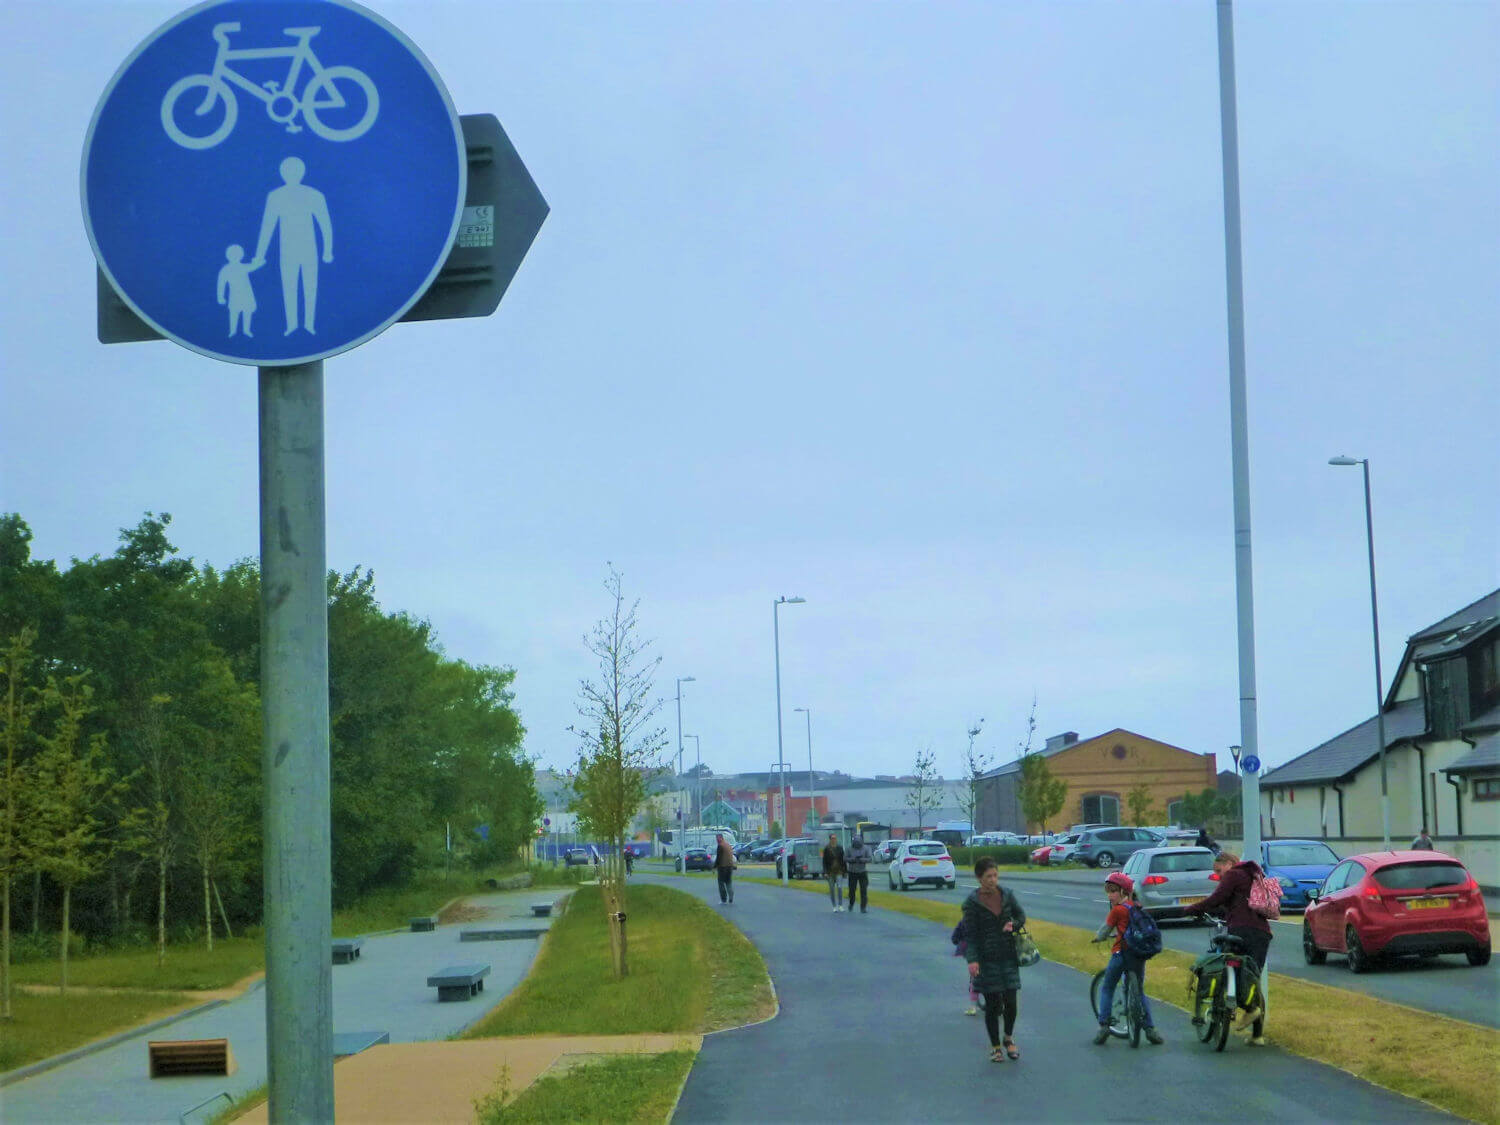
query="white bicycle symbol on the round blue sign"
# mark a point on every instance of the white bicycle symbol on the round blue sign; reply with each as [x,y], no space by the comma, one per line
[331,89]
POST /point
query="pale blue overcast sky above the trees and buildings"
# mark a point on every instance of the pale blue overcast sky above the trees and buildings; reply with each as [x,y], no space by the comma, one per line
[913,310]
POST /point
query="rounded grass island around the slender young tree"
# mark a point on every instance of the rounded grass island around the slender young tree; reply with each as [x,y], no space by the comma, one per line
[691,971]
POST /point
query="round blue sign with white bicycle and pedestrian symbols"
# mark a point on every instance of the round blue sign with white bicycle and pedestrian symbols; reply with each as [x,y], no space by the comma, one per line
[274,184]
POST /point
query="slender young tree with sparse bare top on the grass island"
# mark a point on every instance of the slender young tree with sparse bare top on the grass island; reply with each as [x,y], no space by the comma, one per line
[619,746]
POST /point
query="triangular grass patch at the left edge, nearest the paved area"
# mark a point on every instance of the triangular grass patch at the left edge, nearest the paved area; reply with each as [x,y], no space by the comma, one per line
[49,1024]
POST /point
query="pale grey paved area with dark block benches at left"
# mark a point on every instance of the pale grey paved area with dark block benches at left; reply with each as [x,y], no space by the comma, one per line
[386,991]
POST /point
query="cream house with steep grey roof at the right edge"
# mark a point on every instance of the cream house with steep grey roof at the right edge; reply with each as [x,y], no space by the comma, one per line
[1442,755]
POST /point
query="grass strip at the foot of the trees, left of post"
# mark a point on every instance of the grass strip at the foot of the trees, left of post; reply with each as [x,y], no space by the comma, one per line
[188,968]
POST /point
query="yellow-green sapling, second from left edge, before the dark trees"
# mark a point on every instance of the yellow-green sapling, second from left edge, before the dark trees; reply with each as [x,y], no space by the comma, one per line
[71,788]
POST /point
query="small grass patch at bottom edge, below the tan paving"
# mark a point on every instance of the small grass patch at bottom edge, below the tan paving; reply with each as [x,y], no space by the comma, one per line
[626,1088]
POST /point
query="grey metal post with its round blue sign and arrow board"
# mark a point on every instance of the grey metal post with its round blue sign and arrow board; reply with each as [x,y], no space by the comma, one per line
[236,220]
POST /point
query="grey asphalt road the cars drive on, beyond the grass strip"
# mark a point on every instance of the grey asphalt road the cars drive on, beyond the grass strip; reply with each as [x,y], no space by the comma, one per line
[1447,986]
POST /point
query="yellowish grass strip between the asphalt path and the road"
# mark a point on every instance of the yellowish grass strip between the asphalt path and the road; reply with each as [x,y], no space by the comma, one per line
[1447,1063]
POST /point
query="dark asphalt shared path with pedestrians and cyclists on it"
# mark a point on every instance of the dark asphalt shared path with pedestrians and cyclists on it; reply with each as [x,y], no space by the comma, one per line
[872,1030]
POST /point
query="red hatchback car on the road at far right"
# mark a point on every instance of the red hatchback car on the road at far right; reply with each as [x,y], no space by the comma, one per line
[1391,904]
